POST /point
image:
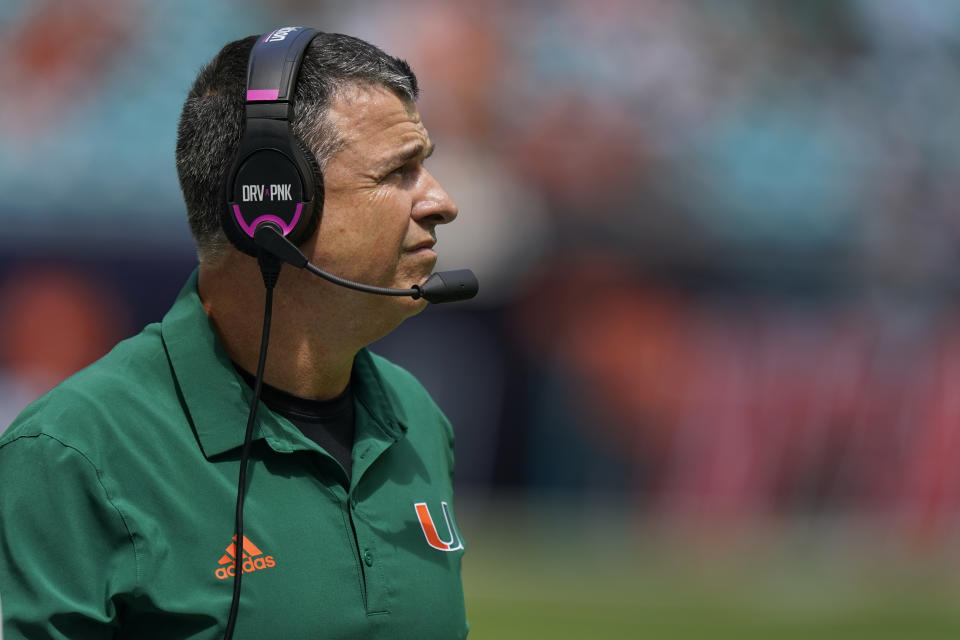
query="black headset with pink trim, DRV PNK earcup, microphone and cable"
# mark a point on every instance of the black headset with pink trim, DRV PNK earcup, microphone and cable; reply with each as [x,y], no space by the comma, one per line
[273,198]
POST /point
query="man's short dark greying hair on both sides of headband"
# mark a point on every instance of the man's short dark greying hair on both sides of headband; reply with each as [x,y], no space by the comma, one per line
[212,118]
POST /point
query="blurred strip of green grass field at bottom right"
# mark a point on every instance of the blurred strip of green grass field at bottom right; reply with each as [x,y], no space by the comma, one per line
[551,573]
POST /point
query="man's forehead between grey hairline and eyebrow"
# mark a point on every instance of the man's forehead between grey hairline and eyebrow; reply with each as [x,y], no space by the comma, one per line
[370,119]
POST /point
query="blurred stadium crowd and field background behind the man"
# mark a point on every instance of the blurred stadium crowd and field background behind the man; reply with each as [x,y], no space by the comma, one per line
[711,387]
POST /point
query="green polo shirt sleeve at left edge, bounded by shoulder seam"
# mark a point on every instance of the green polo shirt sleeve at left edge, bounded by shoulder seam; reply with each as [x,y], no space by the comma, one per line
[67,557]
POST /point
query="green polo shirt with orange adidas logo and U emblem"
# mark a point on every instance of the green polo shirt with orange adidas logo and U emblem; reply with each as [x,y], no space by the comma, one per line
[117,495]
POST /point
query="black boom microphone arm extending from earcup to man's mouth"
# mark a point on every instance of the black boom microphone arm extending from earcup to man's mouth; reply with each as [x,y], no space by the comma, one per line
[443,286]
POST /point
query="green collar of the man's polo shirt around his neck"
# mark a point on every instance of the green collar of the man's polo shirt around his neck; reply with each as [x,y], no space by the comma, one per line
[217,399]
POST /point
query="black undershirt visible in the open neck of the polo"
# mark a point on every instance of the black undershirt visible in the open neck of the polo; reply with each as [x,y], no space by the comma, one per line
[329,423]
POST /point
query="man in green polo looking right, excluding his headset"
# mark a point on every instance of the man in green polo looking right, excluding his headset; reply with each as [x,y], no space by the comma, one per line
[117,488]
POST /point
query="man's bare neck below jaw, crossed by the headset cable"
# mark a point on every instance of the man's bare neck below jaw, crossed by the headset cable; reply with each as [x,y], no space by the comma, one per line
[315,332]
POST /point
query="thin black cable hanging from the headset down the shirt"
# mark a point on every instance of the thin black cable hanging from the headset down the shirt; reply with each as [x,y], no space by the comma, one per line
[270,269]
